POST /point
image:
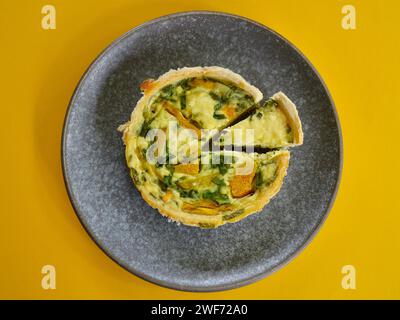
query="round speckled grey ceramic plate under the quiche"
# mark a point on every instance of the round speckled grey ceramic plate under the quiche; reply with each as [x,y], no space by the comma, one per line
[135,235]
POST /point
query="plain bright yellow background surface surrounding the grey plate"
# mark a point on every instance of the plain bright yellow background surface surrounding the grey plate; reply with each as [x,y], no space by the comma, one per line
[40,69]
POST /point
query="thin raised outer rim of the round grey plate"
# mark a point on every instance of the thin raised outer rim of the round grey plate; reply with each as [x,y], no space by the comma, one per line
[99,242]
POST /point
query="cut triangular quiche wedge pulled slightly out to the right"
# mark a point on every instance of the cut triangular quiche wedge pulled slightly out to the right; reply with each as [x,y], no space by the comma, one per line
[275,124]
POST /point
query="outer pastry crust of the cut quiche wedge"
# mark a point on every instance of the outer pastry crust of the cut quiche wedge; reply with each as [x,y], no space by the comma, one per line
[290,110]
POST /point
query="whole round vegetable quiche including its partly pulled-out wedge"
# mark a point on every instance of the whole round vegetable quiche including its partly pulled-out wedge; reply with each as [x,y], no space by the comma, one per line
[177,167]
